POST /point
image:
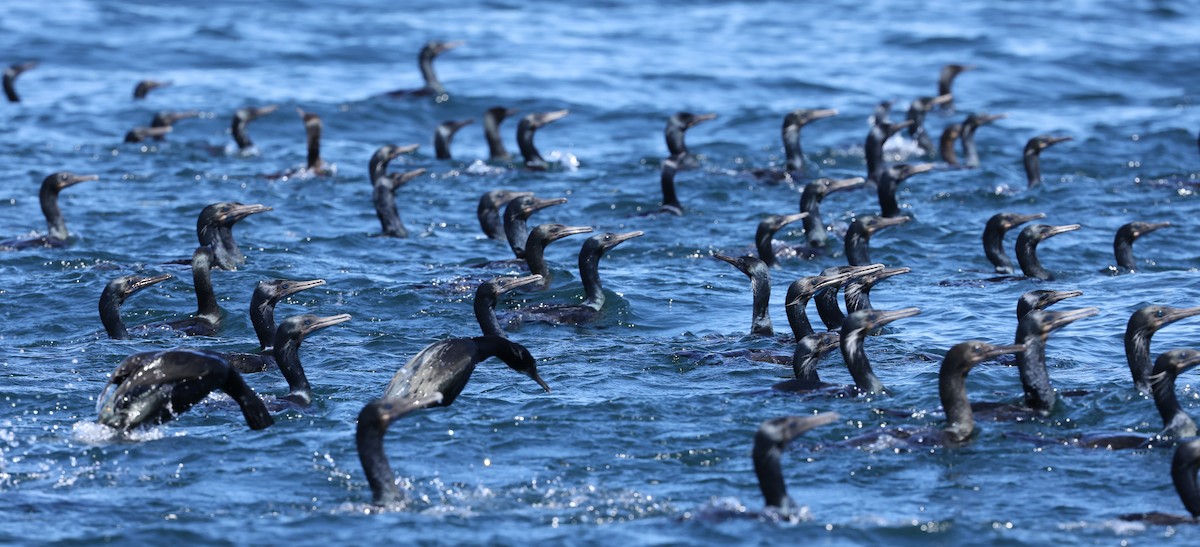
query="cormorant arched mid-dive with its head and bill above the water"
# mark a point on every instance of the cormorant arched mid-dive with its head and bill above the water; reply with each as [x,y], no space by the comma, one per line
[446,368]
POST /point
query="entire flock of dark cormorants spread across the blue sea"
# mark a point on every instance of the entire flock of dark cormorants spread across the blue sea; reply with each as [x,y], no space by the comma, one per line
[157,387]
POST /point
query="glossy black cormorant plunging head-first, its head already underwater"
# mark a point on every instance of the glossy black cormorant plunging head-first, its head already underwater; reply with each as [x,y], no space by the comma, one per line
[157,387]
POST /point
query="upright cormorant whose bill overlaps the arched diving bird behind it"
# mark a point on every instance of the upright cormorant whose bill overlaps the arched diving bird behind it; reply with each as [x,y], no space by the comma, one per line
[374,422]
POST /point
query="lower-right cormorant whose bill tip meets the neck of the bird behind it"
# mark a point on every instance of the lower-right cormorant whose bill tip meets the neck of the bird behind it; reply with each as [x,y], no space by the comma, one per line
[952,386]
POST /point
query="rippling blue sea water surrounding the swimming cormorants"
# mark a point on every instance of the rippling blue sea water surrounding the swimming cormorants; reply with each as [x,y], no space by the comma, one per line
[645,430]
